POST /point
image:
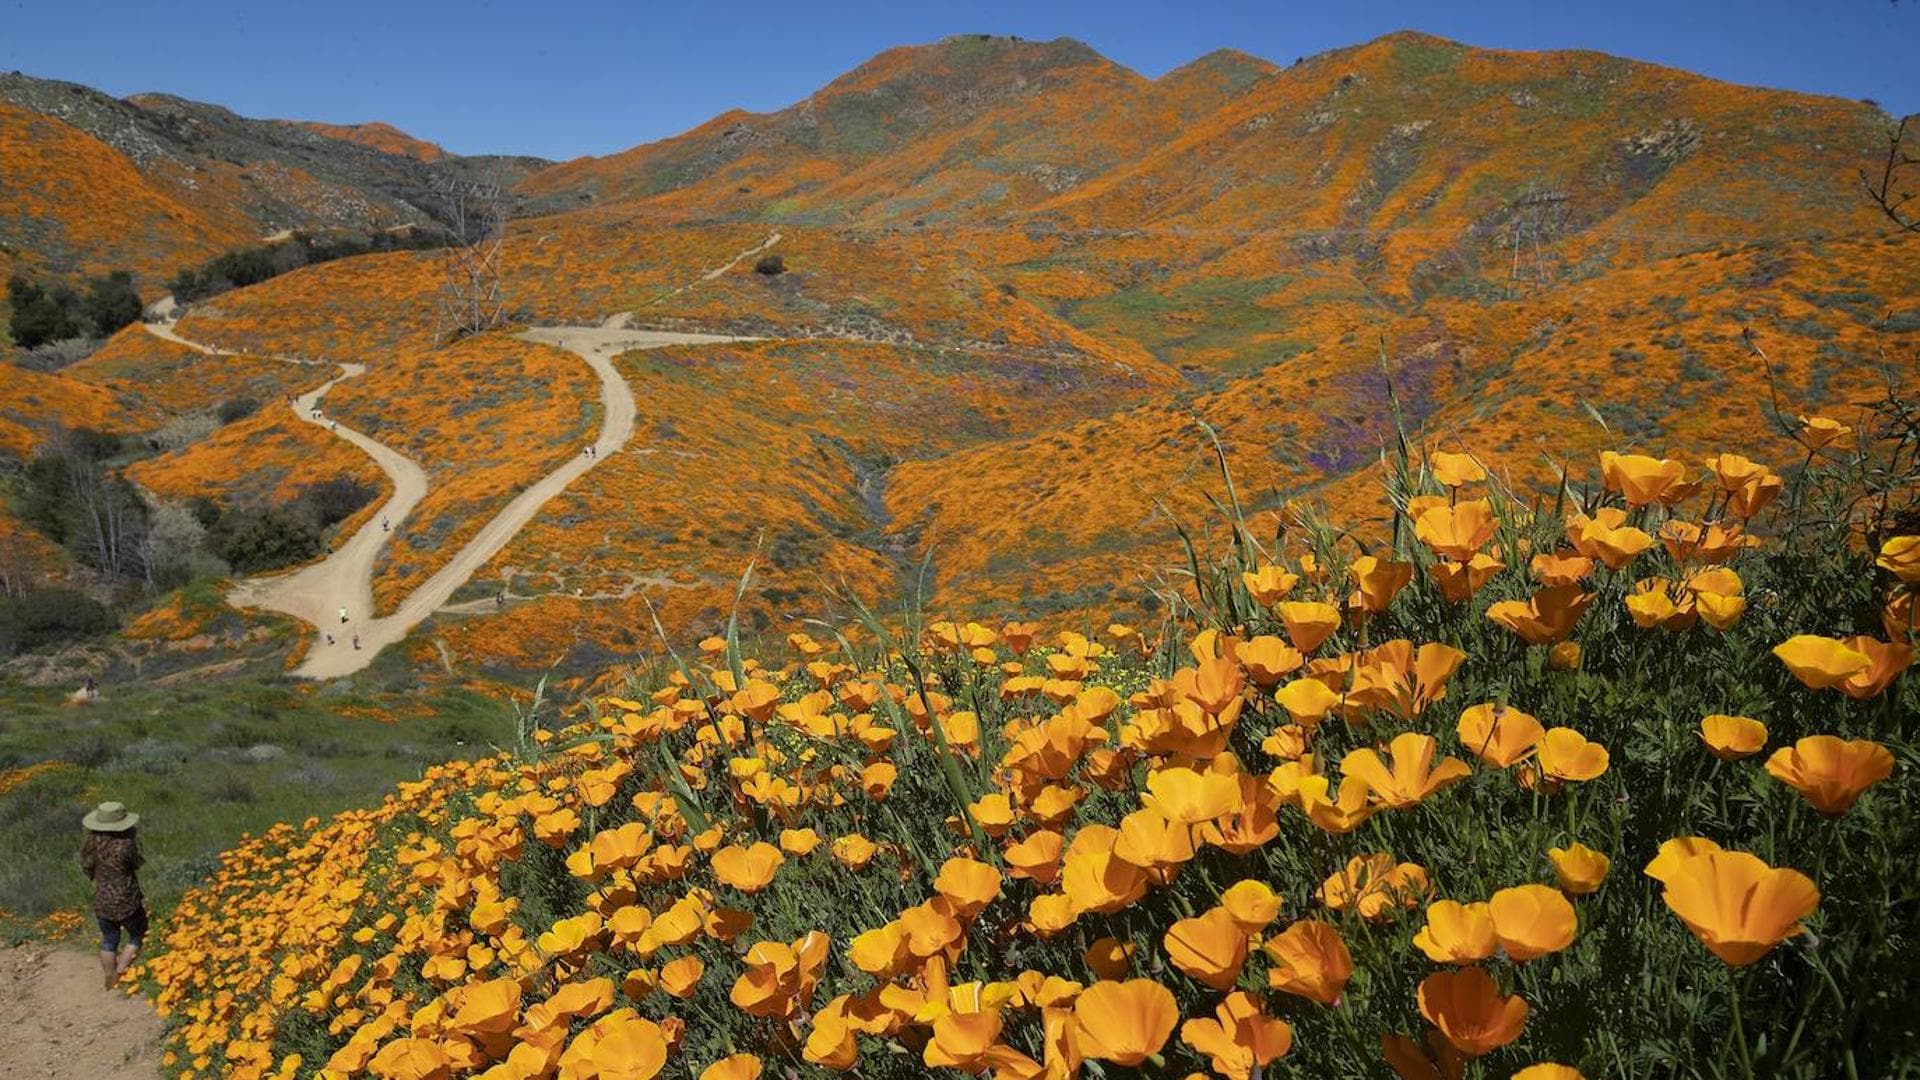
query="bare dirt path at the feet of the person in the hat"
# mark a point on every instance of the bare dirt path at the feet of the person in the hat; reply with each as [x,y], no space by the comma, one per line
[60,1023]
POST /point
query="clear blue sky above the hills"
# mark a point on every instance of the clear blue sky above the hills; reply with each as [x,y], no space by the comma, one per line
[565,80]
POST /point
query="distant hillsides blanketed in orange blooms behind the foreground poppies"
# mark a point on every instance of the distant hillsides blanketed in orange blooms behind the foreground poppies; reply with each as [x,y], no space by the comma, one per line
[1017,285]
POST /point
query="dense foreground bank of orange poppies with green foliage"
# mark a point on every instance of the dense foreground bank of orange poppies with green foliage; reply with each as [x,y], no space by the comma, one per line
[1618,785]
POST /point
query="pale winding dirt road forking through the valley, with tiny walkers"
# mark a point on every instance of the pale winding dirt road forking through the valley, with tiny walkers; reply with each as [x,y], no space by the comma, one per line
[345,579]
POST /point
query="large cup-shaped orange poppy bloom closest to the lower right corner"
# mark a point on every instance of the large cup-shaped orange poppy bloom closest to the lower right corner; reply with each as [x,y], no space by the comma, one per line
[1739,906]
